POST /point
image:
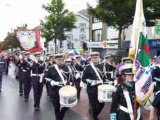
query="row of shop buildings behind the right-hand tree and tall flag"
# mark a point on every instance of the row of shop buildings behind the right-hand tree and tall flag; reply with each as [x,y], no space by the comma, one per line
[104,39]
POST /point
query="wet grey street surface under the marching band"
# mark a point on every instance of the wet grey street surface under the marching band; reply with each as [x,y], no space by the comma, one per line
[13,107]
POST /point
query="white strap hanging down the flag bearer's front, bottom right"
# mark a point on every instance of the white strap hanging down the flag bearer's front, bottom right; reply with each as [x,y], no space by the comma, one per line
[129,104]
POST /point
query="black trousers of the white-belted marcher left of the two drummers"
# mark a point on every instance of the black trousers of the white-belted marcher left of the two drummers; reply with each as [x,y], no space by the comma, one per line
[37,90]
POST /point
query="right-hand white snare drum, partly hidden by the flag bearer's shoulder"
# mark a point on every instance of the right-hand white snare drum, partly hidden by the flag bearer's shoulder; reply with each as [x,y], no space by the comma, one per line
[105,93]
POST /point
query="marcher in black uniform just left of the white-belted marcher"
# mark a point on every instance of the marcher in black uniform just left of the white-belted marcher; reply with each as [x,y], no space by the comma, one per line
[25,75]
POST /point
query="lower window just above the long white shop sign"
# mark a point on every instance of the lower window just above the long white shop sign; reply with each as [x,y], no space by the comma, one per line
[97,35]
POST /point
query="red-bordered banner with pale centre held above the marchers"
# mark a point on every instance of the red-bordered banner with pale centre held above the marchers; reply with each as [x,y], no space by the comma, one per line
[29,40]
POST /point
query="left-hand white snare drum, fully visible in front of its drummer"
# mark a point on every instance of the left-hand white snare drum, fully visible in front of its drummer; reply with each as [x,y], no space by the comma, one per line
[68,96]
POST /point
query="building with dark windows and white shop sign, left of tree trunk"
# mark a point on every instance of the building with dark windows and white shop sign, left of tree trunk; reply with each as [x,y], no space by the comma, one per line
[102,38]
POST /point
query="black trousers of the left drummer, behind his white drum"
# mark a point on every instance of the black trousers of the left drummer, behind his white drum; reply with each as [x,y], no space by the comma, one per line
[59,112]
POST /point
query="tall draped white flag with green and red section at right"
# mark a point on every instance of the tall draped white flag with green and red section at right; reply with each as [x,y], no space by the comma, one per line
[140,54]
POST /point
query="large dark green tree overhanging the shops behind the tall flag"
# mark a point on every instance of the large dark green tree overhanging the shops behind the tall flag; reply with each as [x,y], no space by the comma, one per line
[119,14]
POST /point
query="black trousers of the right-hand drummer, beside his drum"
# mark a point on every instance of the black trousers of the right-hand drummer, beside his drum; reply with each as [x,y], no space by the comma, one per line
[95,106]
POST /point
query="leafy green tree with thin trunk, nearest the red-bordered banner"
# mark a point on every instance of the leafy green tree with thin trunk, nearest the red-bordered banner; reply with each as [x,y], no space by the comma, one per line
[57,22]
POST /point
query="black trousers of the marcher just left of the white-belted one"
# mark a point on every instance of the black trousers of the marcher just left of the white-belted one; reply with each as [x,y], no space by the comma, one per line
[26,84]
